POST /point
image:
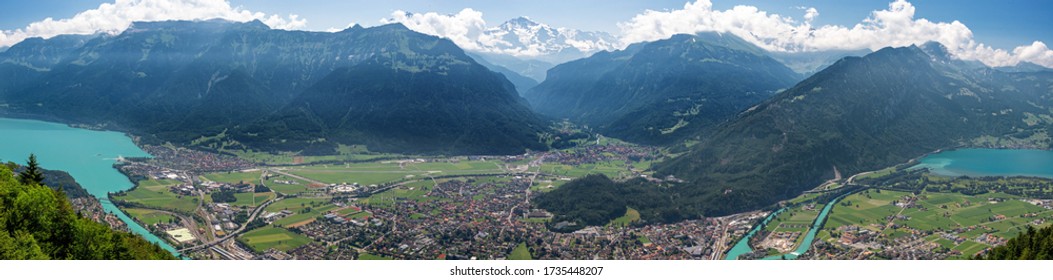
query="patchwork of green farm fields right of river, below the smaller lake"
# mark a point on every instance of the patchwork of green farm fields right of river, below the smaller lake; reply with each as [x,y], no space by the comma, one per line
[951,221]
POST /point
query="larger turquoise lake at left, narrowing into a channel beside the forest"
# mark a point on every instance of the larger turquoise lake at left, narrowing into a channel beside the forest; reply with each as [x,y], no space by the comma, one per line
[87,155]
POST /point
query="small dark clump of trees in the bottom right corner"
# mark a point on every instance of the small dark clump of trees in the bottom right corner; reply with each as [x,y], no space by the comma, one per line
[1030,246]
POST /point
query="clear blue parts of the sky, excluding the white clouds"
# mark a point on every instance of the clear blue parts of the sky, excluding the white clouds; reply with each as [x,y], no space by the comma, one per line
[1003,25]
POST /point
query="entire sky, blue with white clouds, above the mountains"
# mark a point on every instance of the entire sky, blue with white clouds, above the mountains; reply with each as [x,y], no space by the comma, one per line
[997,33]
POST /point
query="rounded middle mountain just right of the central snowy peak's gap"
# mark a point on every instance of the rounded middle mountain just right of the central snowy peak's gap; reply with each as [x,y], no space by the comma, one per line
[663,92]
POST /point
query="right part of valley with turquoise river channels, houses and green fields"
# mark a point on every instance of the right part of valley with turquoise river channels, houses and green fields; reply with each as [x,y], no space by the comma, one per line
[906,212]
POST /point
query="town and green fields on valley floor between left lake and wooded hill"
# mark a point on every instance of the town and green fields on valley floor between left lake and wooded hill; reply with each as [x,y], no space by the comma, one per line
[218,207]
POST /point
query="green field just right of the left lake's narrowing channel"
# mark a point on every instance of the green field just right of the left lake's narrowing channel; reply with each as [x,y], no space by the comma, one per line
[155,194]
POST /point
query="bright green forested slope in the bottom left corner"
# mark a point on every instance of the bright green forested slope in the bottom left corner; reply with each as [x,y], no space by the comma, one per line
[37,223]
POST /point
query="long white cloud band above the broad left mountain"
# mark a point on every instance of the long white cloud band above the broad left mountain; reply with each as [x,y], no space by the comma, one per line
[117,16]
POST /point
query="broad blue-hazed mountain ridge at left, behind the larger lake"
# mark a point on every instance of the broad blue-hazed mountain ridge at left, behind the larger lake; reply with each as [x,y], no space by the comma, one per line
[189,82]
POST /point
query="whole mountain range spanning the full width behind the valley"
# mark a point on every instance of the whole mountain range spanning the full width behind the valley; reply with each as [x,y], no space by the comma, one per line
[748,128]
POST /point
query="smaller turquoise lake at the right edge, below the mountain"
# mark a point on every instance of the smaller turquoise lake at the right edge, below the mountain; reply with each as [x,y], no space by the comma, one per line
[990,163]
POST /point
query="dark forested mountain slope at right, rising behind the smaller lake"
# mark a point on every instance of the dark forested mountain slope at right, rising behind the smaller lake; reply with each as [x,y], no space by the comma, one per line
[859,115]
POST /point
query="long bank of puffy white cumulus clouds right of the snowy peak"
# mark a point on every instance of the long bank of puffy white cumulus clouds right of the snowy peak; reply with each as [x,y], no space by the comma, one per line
[895,27]
